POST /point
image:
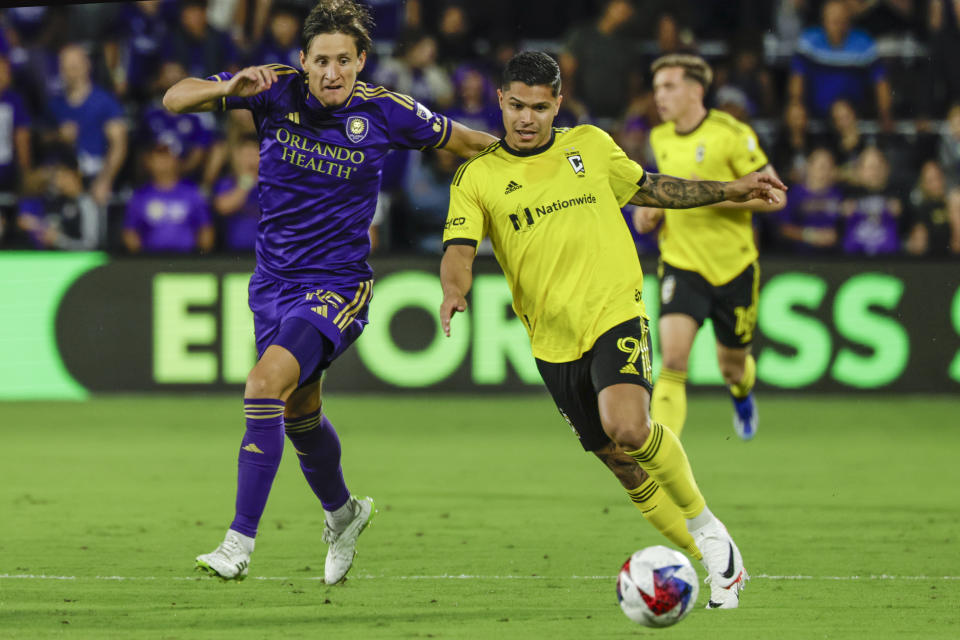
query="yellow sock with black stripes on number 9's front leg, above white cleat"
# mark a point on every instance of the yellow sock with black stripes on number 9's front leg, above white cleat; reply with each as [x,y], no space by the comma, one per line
[663,458]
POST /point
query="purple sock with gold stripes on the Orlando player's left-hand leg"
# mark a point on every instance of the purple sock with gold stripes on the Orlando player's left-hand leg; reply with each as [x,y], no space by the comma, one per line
[260,454]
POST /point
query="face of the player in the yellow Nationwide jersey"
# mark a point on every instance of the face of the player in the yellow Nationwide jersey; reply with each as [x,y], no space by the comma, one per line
[528,113]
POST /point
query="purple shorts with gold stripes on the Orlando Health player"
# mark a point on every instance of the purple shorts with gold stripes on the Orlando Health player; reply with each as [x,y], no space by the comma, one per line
[338,312]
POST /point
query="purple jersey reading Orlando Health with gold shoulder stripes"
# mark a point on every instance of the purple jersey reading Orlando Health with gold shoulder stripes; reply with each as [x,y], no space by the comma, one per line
[320,173]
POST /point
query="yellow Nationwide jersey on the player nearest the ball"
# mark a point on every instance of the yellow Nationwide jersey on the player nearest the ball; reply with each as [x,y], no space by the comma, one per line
[553,217]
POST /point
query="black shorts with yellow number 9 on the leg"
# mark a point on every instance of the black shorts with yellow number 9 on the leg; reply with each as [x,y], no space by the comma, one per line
[621,355]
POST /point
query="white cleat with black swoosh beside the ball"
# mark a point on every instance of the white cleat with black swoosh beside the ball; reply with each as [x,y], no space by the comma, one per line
[726,574]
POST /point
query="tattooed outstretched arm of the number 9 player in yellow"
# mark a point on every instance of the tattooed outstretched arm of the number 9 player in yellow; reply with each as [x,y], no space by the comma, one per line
[661,190]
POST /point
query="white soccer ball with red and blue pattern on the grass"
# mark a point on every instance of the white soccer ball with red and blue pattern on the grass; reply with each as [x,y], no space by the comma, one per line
[657,587]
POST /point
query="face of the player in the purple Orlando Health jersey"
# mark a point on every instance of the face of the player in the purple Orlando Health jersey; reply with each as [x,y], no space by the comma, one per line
[332,64]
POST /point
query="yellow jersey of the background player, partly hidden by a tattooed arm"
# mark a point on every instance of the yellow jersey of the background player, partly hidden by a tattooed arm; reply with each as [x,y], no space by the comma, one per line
[716,243]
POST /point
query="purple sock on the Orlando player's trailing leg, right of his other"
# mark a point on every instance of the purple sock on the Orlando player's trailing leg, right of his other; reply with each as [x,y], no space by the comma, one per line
[318,449]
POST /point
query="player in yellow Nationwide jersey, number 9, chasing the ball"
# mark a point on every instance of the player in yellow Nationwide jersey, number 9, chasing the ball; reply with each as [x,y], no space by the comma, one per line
[549,199]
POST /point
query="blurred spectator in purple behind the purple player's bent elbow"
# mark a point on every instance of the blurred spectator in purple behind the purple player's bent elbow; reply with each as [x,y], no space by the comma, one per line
[190,136]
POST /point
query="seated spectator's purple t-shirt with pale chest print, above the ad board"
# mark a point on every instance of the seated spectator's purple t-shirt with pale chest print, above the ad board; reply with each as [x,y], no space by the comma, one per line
[168,219]
